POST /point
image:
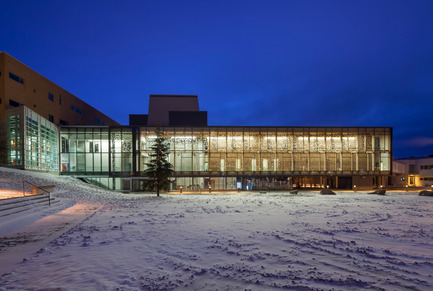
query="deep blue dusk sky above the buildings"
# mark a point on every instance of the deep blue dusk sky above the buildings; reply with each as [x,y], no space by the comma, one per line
[270,62]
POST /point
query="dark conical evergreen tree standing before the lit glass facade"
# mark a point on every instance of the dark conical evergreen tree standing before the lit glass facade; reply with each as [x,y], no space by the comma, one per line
[159,170]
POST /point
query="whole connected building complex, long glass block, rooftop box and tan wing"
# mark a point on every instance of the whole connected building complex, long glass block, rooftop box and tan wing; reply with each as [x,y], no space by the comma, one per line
[203,157]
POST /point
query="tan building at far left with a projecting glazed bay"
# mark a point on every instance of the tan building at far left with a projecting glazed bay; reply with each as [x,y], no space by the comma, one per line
[31,110]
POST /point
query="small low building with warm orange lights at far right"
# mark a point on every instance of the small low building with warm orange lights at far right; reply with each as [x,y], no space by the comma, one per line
[414,172]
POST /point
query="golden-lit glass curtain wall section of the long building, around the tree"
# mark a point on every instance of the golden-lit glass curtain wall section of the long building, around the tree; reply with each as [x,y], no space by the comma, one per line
[212,152]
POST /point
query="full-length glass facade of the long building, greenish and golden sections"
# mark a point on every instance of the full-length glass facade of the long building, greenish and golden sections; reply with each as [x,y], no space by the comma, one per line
[227,157]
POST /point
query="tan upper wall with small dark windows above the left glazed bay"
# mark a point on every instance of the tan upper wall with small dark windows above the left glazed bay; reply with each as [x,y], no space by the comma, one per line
[34,91]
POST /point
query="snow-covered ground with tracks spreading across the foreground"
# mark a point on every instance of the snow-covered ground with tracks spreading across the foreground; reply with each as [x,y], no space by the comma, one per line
[238,241]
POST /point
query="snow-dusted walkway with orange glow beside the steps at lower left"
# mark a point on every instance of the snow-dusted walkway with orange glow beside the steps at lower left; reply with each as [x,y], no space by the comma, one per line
[17,246]
